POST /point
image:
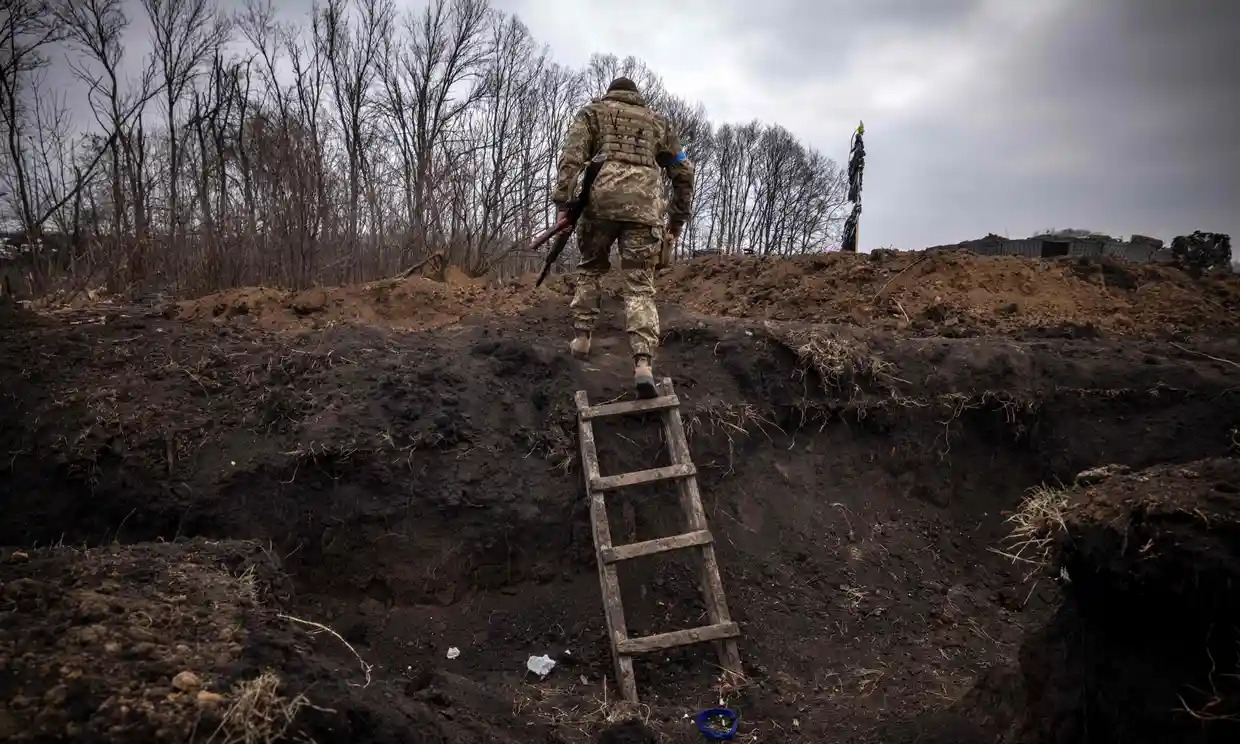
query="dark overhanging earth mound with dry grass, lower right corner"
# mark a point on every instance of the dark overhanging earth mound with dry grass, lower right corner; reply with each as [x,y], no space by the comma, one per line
[1146,644]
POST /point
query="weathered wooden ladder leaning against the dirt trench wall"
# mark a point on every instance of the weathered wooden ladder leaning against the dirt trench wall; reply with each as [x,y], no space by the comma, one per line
[721,631]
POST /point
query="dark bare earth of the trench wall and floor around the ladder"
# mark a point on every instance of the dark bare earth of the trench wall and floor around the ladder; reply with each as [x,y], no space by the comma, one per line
[421,492]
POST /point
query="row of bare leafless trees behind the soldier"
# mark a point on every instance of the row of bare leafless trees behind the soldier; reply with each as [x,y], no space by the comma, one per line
[342,147]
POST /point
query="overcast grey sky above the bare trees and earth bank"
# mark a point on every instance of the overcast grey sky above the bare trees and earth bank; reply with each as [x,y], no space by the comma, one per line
[981,116]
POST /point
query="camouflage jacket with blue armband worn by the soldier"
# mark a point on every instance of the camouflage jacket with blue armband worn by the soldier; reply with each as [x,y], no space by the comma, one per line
[638,142]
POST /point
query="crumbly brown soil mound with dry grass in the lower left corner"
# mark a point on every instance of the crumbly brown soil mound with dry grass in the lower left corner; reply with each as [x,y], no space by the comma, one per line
[189,643]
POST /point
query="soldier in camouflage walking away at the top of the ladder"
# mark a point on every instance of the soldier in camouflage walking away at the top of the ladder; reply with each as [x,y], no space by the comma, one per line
[627,206]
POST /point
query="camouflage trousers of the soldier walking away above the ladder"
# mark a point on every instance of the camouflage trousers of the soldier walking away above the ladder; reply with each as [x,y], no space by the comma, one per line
[640,247]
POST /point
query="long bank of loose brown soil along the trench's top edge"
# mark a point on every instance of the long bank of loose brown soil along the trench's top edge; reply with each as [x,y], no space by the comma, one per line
[937,293]
